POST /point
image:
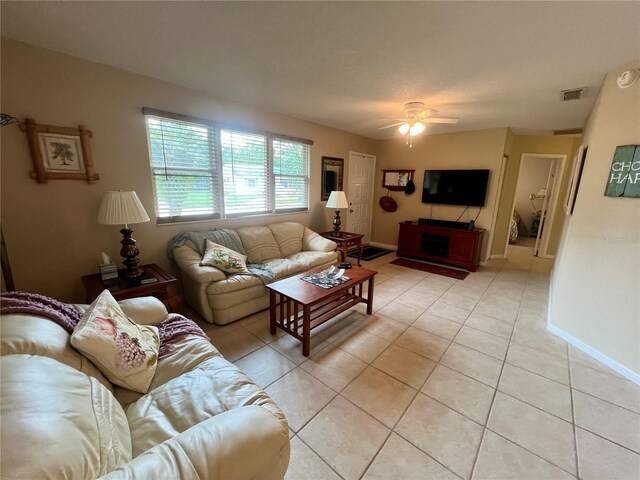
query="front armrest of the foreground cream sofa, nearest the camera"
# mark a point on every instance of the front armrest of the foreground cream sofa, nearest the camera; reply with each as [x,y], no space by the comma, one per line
[243,443]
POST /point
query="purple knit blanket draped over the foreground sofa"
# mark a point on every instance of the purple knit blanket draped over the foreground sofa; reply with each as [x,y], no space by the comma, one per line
[174,327]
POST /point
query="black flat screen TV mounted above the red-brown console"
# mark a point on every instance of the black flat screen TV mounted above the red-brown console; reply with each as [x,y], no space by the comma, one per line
[455,187]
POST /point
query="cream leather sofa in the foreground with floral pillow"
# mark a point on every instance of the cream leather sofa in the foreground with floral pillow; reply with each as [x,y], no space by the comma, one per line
[61,418]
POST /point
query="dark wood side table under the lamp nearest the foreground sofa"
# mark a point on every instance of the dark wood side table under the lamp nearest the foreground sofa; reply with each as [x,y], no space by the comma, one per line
[123,289]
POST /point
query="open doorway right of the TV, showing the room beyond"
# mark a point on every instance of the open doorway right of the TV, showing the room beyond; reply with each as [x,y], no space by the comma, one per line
[534,204]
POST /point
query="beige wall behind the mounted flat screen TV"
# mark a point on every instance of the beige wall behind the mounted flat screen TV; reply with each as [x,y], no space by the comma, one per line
[462,150]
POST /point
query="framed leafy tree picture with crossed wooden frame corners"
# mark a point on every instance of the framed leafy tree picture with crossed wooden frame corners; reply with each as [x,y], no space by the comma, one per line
[59,153]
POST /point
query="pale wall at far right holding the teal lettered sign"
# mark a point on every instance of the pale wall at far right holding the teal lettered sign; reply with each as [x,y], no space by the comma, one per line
[595,285]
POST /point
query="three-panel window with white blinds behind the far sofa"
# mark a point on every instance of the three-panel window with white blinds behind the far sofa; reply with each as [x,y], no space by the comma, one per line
[203,171]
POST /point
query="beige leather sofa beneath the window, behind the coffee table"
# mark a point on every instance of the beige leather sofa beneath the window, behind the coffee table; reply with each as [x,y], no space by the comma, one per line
[286,248]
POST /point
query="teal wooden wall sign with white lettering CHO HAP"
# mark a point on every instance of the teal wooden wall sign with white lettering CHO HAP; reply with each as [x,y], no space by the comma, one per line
[624,176]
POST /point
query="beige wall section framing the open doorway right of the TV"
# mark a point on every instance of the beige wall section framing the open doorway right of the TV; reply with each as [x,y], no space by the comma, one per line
[547,145]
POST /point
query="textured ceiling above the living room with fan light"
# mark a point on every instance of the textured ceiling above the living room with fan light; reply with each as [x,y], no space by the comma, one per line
[348,65]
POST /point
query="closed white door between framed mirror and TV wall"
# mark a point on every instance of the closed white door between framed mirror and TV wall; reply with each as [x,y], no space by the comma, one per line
[360,194]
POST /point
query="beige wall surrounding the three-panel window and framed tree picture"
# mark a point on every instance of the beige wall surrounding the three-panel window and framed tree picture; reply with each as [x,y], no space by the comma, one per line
[50,229]
